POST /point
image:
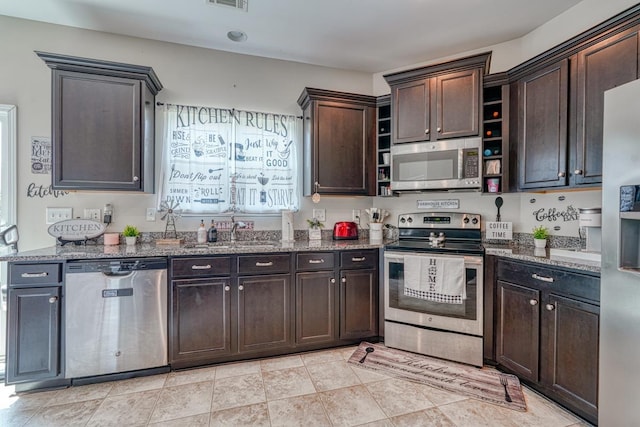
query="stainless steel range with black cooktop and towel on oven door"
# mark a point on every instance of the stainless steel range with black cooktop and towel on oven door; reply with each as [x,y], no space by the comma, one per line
[440,327]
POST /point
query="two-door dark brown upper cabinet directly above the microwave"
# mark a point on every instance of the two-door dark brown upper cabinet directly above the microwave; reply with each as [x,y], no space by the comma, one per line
[437,102]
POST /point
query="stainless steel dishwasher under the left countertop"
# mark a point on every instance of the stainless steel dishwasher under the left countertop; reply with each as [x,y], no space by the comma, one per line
[115,316]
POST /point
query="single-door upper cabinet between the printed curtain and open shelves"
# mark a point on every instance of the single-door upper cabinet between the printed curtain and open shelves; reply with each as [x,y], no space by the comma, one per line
[339,142]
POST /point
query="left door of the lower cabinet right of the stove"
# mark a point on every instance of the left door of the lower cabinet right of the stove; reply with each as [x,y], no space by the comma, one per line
[517,329]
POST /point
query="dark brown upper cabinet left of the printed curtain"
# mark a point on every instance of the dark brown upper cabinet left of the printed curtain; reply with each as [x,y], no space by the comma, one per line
[103,123]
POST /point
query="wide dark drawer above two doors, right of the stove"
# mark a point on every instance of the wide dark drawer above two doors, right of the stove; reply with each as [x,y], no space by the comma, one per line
[546,278]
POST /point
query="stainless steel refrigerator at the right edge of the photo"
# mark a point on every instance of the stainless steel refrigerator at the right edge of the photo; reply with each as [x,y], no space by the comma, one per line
[619,377]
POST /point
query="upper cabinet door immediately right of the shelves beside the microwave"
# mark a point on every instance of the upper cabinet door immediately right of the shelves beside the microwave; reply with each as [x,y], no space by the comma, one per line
[542,127]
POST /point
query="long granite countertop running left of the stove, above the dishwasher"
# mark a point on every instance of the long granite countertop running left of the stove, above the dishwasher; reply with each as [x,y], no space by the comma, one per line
[92,251]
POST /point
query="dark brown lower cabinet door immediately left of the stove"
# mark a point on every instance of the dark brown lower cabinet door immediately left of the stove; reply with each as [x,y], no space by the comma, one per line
[358,303]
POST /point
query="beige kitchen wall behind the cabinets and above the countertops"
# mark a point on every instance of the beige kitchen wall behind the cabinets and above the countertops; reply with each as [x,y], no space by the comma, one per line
[206,77]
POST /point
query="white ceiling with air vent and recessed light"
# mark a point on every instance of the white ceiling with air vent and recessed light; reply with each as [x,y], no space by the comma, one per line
[363,35]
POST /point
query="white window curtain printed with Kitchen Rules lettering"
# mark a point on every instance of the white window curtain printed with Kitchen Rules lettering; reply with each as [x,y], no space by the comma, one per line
[222,160]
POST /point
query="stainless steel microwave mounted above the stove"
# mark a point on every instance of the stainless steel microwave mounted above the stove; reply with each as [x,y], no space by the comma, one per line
[441,165]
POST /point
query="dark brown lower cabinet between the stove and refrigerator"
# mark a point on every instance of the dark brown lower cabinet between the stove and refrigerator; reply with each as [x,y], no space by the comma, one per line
[547,331]
